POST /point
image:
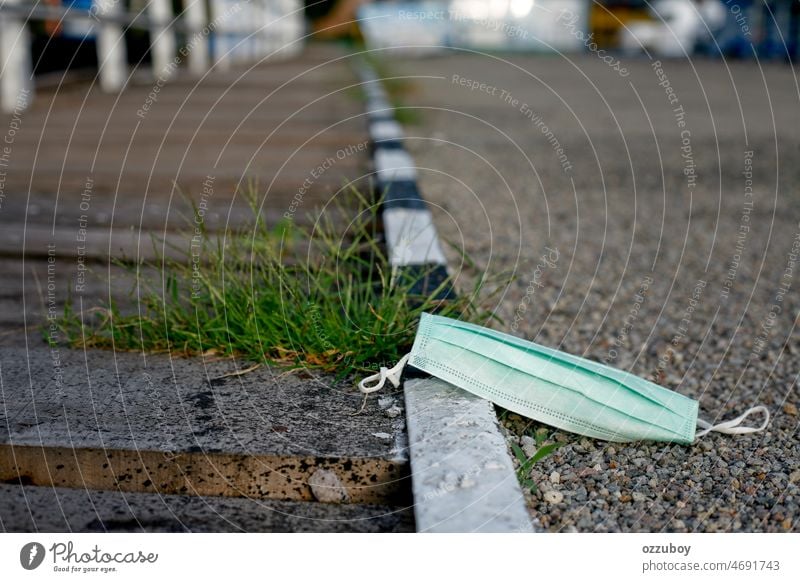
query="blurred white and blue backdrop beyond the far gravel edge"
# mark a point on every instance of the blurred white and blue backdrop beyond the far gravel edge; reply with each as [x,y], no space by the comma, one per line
[660,27]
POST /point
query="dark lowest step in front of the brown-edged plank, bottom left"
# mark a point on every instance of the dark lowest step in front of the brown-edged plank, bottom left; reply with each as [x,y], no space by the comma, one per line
[54,509]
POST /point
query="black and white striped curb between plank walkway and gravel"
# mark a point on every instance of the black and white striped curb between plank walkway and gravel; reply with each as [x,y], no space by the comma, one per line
[462,477]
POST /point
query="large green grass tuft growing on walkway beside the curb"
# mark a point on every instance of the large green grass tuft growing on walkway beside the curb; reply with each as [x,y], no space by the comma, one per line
[303,297]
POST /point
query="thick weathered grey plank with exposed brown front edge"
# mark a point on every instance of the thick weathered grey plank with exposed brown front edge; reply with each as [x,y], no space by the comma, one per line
[103,420]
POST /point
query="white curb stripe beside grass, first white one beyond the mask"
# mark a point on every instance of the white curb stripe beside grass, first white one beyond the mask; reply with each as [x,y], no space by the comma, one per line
[411,237]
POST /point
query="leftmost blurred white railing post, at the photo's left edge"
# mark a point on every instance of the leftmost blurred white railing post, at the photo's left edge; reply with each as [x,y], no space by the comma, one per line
[16,83]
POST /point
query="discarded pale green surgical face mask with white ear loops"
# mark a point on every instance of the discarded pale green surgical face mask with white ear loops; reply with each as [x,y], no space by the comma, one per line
[553,387]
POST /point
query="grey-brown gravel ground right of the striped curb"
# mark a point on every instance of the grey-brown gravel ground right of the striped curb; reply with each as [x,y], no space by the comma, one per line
[655,241]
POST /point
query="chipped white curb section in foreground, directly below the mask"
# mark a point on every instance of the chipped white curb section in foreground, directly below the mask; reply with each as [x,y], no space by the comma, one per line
[462,477]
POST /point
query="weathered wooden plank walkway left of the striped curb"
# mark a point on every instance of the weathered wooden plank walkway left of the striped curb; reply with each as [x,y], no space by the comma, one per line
[113,170]
